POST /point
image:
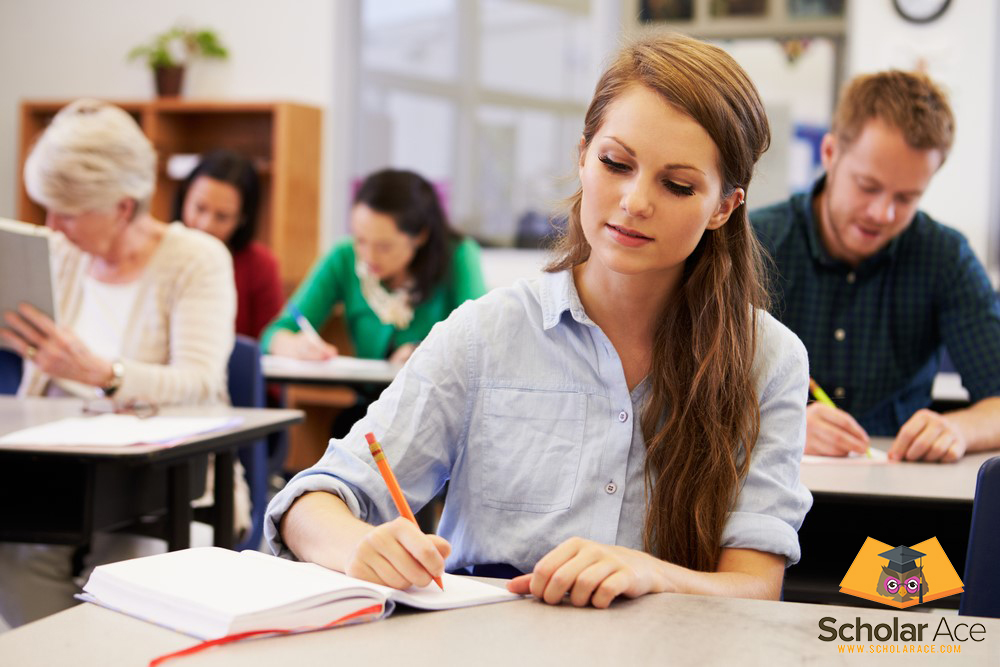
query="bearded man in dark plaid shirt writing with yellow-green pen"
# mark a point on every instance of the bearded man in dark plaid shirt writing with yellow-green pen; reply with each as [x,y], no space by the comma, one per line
[875,288]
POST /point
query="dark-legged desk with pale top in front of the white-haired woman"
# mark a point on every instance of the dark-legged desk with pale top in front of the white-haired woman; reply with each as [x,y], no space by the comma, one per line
[103,489]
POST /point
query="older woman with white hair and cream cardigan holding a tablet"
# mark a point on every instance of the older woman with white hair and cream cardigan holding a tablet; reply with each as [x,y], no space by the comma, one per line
[145,309]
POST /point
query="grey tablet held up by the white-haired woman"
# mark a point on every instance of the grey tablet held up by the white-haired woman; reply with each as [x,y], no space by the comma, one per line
[25,274]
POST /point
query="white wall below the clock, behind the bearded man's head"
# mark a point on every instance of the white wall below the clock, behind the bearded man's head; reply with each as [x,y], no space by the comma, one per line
[960,52]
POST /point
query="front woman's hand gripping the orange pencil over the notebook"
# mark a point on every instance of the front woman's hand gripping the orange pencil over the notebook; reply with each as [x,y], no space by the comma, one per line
[399,555]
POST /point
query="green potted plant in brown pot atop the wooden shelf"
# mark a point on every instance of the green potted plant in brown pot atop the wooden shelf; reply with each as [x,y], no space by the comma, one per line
[168,52]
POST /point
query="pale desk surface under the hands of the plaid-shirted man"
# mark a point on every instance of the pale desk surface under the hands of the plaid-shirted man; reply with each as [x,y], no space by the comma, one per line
[944,481]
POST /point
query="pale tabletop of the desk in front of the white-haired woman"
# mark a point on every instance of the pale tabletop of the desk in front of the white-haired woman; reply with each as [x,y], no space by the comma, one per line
[19,413]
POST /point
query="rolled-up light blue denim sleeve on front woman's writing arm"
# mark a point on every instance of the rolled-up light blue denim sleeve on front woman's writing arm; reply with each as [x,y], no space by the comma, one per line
[421,419]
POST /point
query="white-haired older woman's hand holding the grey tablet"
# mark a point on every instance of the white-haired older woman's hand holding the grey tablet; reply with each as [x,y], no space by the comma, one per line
[54,350]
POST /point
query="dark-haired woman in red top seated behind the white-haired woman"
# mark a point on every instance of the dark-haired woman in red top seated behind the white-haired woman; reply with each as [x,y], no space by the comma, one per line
[220,197]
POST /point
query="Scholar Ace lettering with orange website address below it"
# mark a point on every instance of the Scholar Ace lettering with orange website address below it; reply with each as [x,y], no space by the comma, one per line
[863,637]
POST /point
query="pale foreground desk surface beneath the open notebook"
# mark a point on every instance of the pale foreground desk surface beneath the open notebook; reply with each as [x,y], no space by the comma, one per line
[664,629]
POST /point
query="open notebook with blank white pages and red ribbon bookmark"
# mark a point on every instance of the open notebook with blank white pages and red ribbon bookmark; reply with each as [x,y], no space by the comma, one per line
[211,593]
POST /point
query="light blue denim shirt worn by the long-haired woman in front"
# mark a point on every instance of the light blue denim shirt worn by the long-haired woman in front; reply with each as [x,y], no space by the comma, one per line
[519,401]
